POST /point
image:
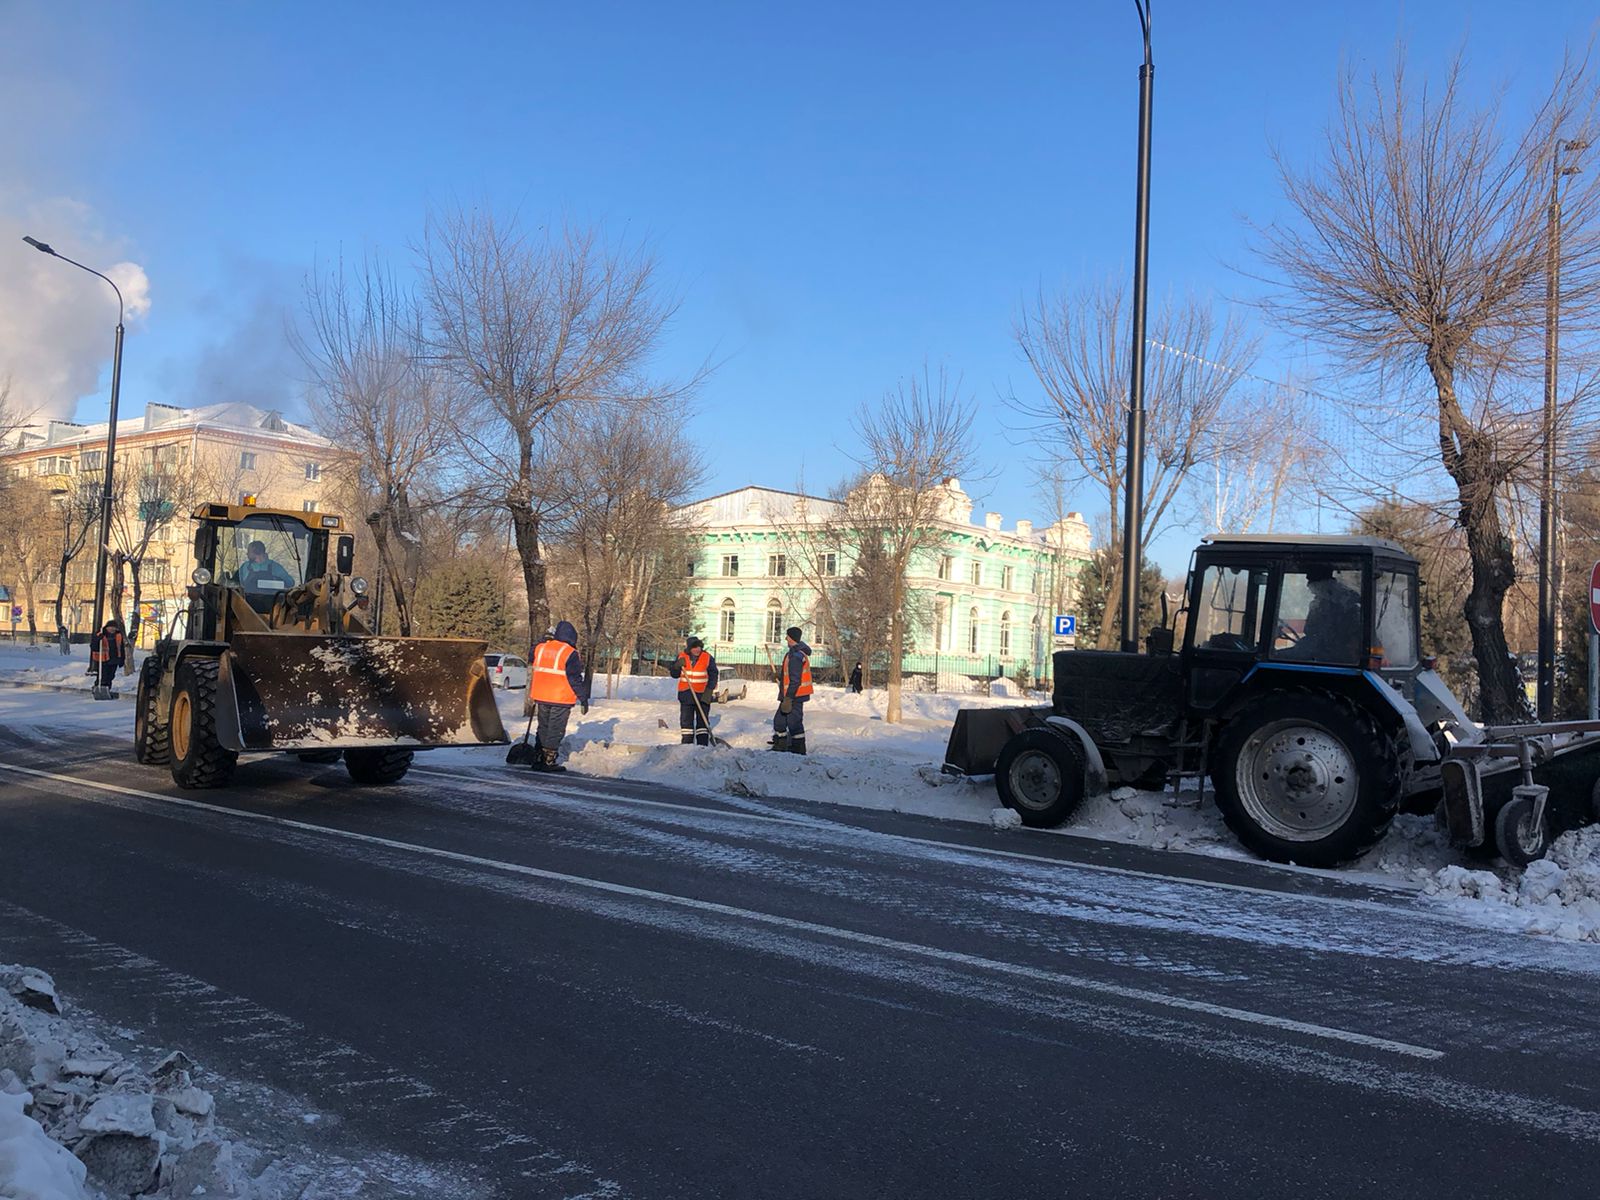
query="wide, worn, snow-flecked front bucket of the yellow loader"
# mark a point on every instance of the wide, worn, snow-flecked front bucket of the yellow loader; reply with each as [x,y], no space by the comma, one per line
[298,692]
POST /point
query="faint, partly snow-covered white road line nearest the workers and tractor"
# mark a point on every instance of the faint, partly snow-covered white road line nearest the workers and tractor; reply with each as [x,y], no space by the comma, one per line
[482,785]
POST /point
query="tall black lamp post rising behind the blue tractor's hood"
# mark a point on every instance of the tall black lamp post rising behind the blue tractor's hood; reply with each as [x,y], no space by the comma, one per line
[1134,474]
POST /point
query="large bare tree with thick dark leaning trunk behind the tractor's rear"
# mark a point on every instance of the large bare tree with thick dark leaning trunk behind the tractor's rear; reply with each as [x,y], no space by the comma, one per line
[1420,254]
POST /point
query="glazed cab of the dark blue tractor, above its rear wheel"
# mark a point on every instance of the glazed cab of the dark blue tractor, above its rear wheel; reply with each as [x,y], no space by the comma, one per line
[1318,606]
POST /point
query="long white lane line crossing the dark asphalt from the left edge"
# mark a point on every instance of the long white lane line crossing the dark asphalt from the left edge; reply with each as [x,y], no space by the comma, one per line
[790,924]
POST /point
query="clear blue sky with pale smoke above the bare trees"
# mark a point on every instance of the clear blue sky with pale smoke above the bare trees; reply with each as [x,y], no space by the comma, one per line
[839,193]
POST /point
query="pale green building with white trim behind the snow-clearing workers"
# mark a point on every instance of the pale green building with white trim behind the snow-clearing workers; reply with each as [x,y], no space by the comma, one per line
[990,594]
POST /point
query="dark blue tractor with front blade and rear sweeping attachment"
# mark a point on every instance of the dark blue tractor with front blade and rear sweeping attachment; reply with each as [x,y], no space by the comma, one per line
[1300,695]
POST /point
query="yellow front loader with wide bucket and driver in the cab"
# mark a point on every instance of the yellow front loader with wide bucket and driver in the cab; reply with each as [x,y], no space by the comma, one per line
[274,654]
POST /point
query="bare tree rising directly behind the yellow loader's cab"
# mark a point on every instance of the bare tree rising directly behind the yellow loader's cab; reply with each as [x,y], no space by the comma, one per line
[383,398]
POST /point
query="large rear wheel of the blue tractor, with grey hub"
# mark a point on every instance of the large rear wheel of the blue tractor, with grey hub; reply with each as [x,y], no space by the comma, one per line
[1306,777]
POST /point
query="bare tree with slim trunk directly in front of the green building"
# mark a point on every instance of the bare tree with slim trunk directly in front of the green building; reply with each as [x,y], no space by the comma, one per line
[914,441]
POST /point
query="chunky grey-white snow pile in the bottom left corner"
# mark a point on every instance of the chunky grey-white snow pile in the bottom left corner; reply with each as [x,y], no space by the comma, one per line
[74,1111]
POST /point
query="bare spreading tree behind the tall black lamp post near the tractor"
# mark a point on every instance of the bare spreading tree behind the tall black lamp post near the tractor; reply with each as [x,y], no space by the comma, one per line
[1078,345]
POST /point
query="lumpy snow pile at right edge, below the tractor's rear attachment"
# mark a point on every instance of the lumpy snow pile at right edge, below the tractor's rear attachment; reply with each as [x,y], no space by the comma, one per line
[1558,897]
